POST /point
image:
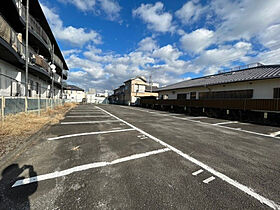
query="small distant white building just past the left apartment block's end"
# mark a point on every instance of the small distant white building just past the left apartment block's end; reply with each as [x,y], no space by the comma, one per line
[74,94]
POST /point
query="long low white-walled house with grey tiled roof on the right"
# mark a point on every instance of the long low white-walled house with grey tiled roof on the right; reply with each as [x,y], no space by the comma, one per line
[254,81]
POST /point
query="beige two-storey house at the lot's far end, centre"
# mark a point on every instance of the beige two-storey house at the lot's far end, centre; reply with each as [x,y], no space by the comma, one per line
[132,90]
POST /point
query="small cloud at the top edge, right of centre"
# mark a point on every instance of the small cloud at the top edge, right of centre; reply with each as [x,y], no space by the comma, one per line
[190,12]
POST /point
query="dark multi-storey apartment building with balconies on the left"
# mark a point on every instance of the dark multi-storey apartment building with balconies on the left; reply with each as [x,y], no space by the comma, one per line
[43,52]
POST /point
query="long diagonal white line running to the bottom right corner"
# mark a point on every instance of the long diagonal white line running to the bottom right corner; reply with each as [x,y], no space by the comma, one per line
[222,176]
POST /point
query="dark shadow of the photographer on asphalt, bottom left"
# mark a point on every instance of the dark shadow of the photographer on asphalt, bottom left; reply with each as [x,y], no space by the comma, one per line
[16,197]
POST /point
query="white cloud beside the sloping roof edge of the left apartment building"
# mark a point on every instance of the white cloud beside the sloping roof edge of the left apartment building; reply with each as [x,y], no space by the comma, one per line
[75,36]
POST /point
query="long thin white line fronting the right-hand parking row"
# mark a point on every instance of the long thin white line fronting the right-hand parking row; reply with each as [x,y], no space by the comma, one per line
[220,126]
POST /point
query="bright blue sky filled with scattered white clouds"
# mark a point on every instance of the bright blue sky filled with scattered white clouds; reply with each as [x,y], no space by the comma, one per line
[106,42]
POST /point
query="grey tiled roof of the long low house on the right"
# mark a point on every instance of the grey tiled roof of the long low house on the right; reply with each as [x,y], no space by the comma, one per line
[256,73]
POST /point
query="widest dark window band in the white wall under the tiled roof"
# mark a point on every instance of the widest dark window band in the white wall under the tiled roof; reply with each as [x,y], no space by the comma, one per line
[234,94]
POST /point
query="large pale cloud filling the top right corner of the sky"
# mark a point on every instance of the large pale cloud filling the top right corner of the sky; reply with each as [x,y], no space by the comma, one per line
[245,19]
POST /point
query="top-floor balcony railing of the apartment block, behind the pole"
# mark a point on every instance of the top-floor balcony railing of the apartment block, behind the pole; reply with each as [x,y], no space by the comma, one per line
[33,24]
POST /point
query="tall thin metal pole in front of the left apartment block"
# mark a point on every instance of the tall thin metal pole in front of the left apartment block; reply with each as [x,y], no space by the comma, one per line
[26,47]
